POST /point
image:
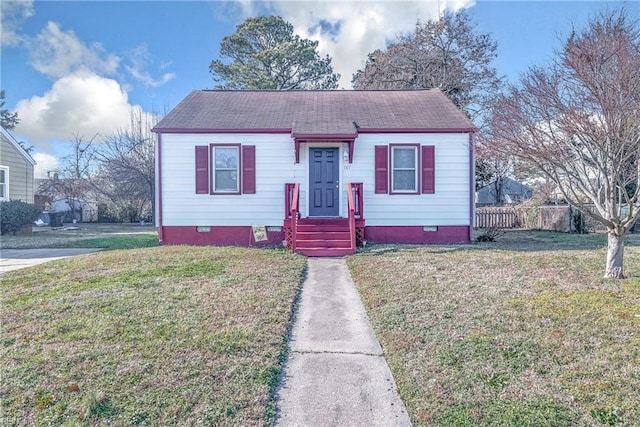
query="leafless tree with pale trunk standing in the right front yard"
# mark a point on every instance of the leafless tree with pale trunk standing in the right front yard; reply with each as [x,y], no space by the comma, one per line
[578,122]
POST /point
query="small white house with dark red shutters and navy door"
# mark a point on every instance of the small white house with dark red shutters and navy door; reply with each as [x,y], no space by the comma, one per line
[321,171]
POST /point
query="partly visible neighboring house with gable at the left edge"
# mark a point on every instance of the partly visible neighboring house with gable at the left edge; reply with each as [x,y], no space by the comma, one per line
[16,170]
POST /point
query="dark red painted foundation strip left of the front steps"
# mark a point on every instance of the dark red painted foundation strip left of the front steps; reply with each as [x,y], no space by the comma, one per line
[219,236]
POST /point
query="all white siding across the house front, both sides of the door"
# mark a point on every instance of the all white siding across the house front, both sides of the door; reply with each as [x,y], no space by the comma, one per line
[450,205]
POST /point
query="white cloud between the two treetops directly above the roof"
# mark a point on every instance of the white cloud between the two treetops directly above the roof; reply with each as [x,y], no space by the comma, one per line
[354,29]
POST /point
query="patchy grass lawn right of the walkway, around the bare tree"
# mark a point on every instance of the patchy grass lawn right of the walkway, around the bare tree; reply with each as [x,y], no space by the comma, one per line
[523,332]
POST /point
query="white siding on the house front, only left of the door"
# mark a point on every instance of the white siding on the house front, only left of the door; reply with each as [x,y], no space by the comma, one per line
[181,206]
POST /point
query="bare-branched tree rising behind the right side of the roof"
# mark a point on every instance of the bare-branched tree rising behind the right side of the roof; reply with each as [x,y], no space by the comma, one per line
[446,53]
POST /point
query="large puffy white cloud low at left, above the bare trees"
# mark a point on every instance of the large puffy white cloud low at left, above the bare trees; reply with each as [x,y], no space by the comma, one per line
[82,104]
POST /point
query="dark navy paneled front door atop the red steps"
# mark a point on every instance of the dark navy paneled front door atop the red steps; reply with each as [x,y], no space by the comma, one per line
[324,186]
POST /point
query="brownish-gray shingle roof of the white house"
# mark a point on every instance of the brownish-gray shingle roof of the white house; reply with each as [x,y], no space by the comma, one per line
[310,113]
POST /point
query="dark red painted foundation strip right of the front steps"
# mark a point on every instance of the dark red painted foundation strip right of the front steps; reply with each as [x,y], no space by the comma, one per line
[448,234]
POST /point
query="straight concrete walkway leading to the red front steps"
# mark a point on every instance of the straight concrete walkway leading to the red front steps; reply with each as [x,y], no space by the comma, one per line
[336,374]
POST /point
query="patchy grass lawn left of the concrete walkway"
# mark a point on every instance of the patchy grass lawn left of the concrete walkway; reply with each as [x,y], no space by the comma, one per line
[170,335]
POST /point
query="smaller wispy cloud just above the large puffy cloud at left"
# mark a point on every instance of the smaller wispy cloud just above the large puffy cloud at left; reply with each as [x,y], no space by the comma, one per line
[57,53]
